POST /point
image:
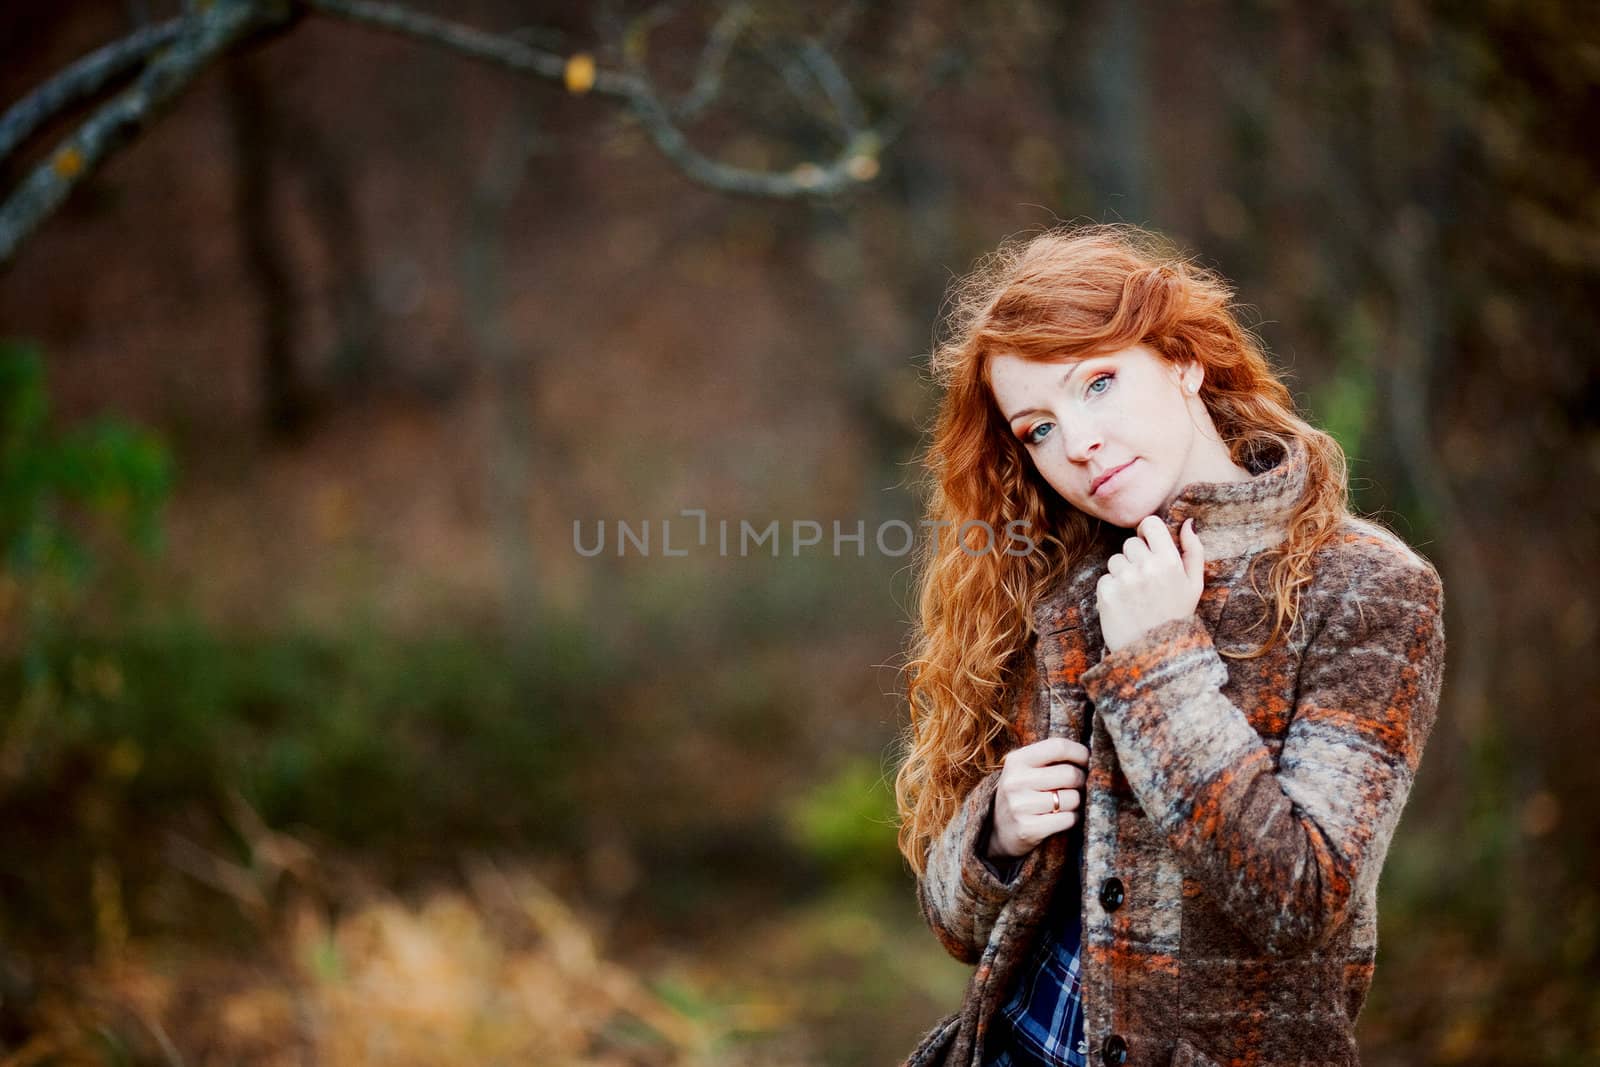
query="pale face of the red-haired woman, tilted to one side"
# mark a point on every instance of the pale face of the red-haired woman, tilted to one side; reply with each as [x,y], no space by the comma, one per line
[1118,436]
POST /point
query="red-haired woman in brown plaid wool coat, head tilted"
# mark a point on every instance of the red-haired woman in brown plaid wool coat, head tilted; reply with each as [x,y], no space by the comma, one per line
[1156,761]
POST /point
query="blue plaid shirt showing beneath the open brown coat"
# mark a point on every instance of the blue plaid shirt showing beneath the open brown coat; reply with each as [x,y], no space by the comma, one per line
[1042,1023]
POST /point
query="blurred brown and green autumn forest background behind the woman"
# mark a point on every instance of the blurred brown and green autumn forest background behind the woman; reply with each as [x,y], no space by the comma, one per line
[321,743]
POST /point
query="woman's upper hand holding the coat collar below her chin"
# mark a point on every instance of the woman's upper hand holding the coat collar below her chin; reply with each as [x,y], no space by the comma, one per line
[1150,583]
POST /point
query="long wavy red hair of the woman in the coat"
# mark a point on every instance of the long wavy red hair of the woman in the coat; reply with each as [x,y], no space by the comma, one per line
[1065,294]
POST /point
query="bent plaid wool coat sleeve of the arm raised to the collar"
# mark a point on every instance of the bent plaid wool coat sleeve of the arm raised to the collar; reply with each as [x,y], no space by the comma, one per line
[1286,850]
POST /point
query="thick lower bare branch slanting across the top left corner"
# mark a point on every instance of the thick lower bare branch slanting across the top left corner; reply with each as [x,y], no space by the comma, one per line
[201,39]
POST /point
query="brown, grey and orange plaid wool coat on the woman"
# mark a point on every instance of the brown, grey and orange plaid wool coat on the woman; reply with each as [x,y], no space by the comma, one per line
[1238,812]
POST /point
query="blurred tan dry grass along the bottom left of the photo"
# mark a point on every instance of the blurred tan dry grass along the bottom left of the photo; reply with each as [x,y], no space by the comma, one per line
[495,972]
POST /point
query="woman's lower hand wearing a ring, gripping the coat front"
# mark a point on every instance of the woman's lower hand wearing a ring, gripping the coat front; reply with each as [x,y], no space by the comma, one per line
[1031,780]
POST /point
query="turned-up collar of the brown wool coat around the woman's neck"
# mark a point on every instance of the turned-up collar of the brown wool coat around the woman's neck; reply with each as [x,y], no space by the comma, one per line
[1233,519]
